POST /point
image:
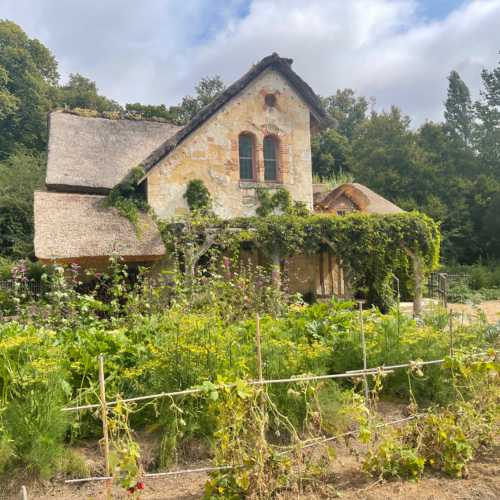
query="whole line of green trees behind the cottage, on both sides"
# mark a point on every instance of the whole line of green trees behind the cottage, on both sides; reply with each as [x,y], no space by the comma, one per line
[449,170]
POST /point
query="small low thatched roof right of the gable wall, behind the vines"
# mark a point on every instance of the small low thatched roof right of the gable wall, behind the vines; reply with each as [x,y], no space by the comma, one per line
[362,197]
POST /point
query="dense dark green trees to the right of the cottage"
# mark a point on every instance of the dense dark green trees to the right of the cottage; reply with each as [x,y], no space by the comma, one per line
[449,170]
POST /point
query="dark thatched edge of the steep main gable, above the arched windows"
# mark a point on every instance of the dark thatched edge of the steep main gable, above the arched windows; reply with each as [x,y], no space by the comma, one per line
[274,61]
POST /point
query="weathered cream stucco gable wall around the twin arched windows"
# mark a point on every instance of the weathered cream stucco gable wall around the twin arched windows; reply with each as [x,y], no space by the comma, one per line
[211,152]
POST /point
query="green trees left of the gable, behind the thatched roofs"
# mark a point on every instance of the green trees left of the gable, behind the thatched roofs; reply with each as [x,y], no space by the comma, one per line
[30,87]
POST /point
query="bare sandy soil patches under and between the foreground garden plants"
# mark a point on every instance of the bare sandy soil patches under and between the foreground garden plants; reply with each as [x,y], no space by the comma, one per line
[345,479]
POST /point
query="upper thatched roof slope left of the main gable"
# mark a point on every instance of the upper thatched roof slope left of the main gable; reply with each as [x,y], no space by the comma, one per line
[92,155]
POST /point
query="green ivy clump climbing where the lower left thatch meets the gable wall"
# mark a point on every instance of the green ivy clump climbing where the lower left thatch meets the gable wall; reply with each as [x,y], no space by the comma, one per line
[127,197]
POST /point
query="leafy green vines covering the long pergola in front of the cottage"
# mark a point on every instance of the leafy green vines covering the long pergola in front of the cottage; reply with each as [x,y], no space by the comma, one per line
[370,249]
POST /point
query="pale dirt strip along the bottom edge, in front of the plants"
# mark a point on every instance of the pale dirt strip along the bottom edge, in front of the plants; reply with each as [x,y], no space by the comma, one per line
[348,482]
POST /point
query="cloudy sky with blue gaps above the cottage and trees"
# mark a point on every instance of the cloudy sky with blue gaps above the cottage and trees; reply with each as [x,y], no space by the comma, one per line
[154,51]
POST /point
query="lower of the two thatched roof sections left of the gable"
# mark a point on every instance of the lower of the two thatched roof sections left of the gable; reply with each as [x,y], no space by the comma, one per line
[75,226]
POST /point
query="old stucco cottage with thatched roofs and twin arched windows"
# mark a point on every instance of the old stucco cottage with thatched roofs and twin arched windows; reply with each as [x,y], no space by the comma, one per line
[257,133]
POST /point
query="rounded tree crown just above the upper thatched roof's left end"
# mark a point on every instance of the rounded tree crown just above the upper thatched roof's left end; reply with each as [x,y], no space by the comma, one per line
[80,92]
